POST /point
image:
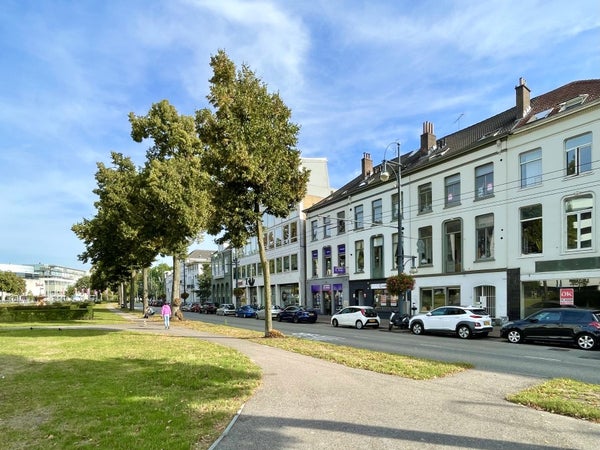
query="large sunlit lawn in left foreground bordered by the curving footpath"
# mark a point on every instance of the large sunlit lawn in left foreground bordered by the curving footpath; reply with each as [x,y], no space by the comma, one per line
[113,390]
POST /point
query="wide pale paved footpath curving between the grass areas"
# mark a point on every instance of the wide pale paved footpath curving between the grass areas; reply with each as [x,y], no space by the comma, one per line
[308,403]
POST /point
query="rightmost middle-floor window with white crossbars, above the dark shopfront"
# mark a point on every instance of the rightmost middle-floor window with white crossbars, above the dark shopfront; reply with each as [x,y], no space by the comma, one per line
[579,222]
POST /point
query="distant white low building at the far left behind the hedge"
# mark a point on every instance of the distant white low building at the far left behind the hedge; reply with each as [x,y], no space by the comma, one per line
[45,280]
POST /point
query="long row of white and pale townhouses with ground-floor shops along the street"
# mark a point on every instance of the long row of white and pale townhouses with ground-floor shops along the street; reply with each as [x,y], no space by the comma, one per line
[500,214]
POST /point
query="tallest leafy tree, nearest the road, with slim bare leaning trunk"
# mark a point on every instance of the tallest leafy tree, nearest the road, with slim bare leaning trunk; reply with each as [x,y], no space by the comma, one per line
[251,156]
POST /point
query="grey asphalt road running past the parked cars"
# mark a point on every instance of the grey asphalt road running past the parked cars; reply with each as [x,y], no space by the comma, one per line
[487,354]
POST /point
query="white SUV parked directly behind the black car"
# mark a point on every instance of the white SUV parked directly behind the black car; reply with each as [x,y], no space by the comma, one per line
[464,321]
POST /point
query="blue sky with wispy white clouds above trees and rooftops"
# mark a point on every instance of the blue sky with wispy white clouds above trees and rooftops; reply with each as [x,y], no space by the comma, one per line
[357,76]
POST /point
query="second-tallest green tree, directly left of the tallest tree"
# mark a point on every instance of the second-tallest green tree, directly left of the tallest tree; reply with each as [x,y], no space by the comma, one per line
[174,190]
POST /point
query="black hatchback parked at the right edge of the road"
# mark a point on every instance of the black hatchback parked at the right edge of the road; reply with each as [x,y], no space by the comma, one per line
[558,325]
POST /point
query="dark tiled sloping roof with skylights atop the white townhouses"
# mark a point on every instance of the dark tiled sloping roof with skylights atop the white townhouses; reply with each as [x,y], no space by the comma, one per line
[574,95]
